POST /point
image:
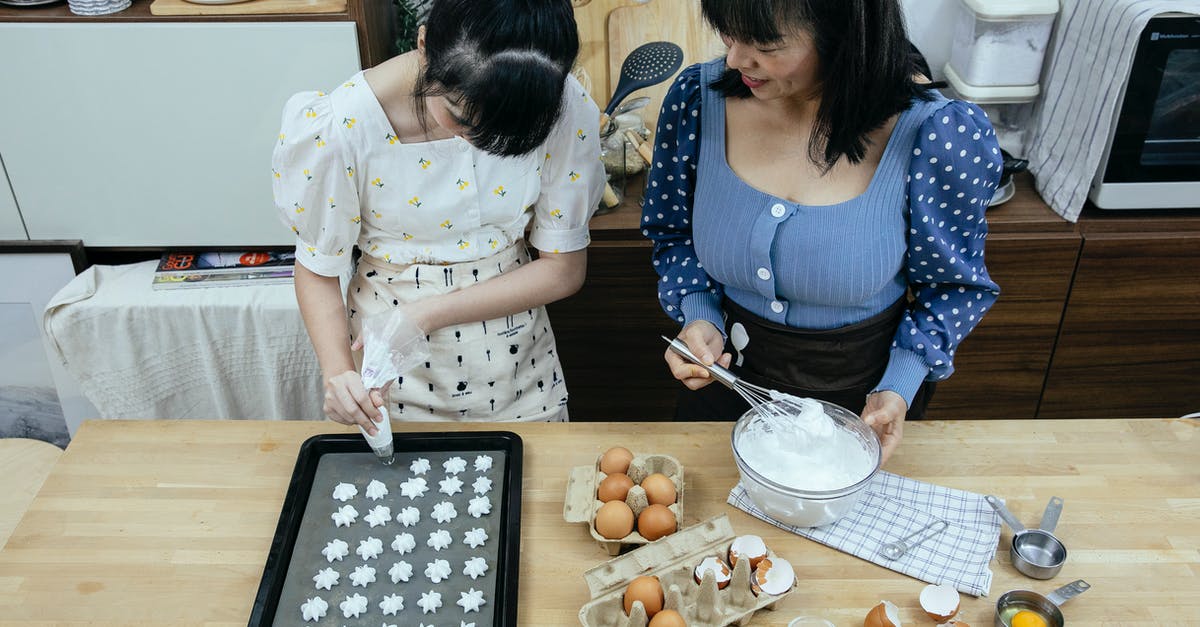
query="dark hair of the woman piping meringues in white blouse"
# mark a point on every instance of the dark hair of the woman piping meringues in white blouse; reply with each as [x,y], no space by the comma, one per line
[505,63]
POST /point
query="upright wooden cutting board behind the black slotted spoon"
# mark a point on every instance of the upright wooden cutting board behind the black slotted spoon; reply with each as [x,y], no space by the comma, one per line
[675,21]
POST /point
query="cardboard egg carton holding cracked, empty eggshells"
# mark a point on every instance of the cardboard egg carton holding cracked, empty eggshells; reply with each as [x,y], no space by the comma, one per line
[674,560]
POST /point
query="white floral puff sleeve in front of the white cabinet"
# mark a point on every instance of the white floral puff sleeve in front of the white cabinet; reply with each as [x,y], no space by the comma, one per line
[314,184]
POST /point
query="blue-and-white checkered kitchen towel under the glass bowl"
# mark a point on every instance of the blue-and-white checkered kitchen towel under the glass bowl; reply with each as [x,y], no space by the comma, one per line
[897,506]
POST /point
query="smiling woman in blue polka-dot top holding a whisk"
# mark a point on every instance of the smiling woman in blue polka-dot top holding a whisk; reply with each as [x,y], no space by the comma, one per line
[818,214]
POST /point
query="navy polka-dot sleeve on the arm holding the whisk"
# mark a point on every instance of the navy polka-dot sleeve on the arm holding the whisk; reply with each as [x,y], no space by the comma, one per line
[686,291]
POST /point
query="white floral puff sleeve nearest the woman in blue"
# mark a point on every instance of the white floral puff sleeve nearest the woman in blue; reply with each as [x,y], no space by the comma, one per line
[572,176]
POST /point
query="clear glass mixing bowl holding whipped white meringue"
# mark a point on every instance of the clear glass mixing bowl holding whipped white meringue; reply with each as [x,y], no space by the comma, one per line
[797,506]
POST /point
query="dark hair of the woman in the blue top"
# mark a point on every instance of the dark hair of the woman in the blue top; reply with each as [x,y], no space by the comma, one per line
[865,67]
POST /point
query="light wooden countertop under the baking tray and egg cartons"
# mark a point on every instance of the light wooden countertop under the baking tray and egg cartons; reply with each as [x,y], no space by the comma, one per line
[171,522]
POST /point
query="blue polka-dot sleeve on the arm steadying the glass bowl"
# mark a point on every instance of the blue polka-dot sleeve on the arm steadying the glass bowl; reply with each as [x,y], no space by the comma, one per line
[953,174]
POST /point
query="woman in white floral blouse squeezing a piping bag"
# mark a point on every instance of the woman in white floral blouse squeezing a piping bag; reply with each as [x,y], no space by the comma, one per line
[433,165]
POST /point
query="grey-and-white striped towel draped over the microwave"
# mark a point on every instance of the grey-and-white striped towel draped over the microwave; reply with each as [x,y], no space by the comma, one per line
[1069,127]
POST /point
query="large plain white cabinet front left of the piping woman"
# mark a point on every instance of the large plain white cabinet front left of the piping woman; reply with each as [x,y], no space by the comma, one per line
[157,135]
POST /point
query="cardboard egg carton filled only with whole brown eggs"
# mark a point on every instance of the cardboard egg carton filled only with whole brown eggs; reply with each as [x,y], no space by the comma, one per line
[581,504]
